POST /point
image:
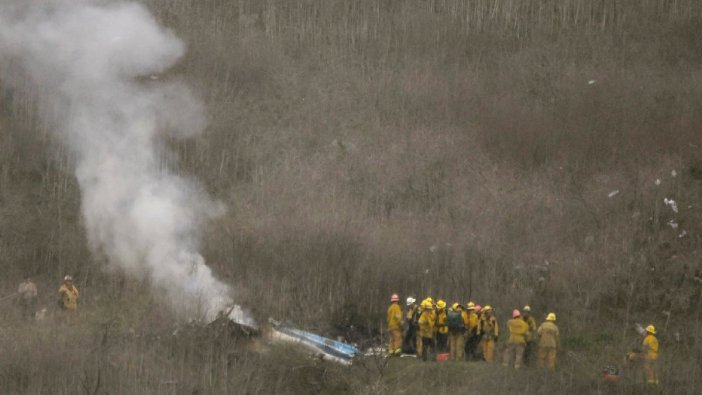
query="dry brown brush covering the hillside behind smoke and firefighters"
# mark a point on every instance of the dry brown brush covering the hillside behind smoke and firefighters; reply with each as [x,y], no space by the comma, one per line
[445,147]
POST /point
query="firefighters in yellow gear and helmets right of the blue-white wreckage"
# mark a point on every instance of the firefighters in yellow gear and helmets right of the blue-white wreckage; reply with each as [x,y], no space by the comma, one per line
[470,331]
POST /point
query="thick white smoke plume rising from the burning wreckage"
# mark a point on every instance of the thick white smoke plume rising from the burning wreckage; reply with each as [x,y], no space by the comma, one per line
[89,60]
